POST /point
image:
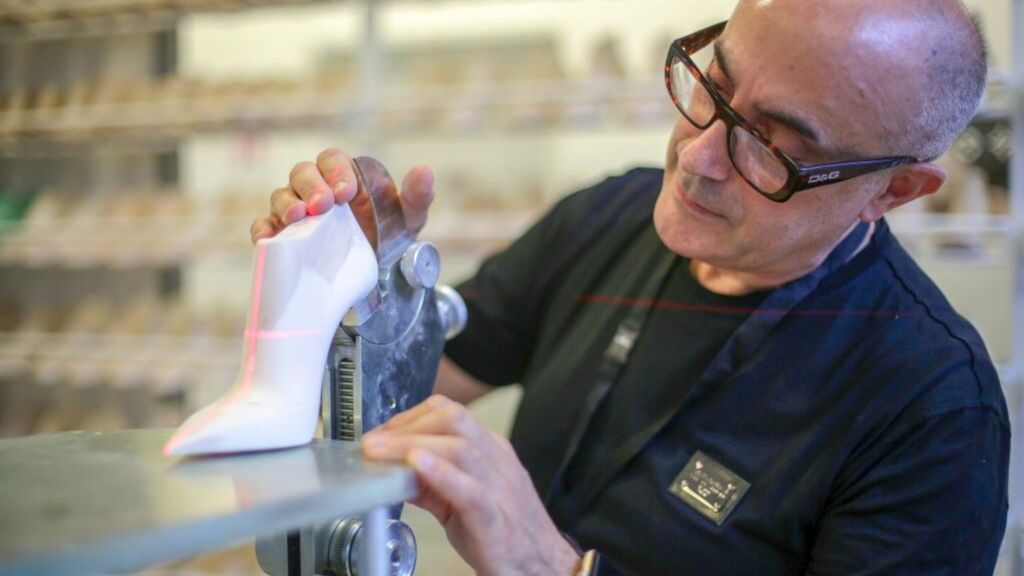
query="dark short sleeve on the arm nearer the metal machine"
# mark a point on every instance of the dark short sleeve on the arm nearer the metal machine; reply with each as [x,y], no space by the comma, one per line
[509,297]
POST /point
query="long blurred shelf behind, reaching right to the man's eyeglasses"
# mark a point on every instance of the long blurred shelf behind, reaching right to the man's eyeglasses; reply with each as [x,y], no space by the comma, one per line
[178,108]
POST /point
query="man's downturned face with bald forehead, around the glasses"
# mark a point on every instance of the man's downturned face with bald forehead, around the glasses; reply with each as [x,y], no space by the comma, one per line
[789,76]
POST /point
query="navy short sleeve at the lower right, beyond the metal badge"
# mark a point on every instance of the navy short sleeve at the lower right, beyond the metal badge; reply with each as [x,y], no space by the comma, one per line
[932,503]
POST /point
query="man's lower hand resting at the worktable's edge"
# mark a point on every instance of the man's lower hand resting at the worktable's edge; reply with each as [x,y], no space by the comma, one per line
[472,480]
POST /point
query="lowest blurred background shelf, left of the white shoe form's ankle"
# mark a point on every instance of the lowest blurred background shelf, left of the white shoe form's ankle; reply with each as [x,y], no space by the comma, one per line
[101,364]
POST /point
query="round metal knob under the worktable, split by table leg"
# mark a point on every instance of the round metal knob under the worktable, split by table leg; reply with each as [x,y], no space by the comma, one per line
[347,542]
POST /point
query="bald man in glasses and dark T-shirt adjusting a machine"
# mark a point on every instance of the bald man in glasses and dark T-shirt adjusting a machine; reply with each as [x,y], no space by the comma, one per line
[758,380]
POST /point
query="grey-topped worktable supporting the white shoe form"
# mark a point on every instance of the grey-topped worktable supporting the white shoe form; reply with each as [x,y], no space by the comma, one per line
[100,503]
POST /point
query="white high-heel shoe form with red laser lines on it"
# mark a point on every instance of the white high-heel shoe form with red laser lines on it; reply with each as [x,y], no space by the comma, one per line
[305,281]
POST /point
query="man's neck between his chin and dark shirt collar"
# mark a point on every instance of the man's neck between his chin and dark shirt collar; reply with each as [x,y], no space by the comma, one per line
[739,283]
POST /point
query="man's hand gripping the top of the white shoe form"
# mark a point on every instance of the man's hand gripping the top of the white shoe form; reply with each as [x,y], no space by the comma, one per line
[314,188]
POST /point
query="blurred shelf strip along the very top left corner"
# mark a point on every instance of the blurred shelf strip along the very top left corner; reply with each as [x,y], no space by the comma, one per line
[44,20]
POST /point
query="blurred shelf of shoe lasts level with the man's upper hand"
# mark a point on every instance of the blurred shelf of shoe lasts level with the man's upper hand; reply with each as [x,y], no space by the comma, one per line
[151,231]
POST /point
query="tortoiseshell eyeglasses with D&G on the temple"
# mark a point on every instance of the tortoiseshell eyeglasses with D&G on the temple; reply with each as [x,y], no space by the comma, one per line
[760,162]
